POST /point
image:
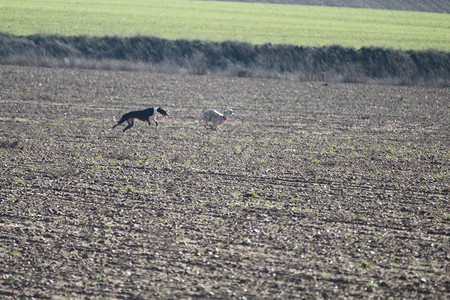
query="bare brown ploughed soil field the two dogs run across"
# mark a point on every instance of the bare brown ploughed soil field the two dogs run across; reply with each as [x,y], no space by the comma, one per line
[311,190]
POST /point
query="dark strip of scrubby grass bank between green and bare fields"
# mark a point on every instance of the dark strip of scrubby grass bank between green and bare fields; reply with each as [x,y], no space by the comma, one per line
[334,63]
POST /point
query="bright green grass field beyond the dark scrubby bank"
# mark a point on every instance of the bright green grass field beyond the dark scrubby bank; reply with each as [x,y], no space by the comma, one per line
[218,21]
